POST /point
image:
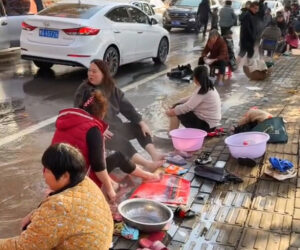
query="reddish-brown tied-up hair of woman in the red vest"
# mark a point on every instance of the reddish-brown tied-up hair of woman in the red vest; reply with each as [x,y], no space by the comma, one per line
[95,103]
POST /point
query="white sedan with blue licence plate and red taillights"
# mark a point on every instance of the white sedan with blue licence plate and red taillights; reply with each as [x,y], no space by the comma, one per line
[74,33]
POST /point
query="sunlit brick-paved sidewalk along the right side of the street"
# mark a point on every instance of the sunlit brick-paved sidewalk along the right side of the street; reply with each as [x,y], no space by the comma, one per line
[260,213]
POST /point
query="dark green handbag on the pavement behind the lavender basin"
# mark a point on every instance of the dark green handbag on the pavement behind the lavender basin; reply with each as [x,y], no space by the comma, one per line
[275,128]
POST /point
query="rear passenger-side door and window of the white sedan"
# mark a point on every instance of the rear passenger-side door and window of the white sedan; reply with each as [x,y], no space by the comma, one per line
[124,33]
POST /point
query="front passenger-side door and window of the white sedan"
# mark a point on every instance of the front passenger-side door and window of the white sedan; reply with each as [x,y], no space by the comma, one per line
[148,36]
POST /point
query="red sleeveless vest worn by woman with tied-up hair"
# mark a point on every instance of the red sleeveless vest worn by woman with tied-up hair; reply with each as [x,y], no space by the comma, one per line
[72,126]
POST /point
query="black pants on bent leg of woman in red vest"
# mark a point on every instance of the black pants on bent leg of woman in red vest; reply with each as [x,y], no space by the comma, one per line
[119,160]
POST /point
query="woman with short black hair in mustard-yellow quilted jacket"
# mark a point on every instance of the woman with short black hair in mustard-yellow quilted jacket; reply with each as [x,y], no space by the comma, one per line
[75,215]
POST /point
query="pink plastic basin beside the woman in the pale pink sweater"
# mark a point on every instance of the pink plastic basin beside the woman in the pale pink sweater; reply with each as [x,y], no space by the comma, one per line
[187,139]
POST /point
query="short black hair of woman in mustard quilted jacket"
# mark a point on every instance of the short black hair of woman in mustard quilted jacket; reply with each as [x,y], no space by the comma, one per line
[61,158]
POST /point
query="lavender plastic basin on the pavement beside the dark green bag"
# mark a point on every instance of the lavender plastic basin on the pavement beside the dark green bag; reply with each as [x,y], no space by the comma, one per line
[247,145]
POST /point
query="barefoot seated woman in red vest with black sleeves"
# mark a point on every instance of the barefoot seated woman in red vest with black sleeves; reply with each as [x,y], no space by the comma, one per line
[84,129]
